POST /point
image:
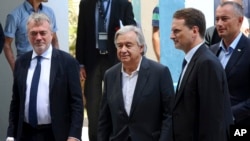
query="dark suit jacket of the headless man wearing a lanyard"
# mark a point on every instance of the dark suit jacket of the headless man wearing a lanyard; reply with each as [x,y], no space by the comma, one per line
[86,52]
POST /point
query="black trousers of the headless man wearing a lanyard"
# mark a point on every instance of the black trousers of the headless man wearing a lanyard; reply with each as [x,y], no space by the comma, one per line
[93,93]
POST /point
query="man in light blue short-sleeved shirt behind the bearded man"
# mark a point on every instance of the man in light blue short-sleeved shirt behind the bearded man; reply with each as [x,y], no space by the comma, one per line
[15,28]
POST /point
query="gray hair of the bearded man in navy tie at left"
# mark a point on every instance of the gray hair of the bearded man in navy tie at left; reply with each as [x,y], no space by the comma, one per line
[38,18]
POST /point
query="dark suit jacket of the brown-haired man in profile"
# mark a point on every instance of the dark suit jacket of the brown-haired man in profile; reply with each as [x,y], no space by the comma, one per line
[202,106]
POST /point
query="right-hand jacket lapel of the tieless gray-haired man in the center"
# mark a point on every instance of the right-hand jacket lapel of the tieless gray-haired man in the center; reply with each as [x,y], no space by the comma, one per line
[140,84]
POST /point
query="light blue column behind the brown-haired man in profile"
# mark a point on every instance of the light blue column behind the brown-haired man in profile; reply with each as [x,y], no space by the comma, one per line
[169,55]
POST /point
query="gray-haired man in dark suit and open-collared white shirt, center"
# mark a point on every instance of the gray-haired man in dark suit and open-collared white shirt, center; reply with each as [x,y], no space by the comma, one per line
[138,94]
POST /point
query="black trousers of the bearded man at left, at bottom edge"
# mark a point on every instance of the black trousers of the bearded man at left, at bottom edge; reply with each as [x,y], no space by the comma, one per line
[39,133]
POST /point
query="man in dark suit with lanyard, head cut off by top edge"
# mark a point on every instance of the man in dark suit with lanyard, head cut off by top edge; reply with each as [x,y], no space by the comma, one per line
[95,49]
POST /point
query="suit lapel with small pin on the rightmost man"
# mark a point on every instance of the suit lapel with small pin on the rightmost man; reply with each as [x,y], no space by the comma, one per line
[239,50]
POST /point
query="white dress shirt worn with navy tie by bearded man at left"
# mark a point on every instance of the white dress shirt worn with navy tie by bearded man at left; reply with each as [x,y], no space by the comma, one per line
[43,104]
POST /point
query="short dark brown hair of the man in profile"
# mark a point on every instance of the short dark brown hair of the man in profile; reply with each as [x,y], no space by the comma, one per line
[193,17]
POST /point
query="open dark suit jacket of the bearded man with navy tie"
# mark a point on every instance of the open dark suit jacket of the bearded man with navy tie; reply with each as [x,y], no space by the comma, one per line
[66,106]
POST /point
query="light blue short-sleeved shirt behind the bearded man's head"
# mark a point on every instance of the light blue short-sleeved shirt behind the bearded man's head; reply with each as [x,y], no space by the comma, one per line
[16,21]
